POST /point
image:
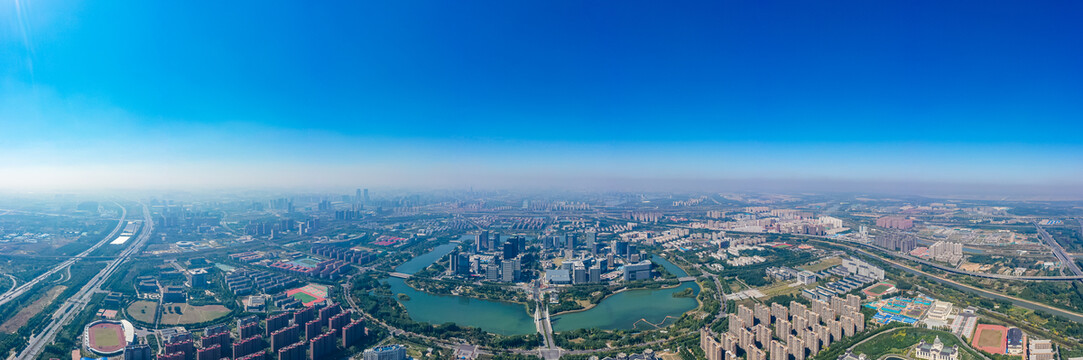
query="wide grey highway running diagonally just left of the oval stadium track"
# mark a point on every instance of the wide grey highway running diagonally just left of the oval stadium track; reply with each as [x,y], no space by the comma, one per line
[76,304]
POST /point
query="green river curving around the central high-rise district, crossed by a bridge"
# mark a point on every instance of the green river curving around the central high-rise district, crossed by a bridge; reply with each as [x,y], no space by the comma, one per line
[630,310]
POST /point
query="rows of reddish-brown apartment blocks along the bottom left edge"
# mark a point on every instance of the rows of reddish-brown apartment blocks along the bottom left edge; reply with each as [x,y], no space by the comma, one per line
[311,333]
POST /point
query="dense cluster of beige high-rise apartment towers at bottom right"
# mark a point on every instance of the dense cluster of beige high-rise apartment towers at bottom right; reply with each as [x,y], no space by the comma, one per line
[778,332]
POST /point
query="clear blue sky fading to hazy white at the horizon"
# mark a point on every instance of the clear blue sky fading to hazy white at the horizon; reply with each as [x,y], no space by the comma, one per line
[232,94]
